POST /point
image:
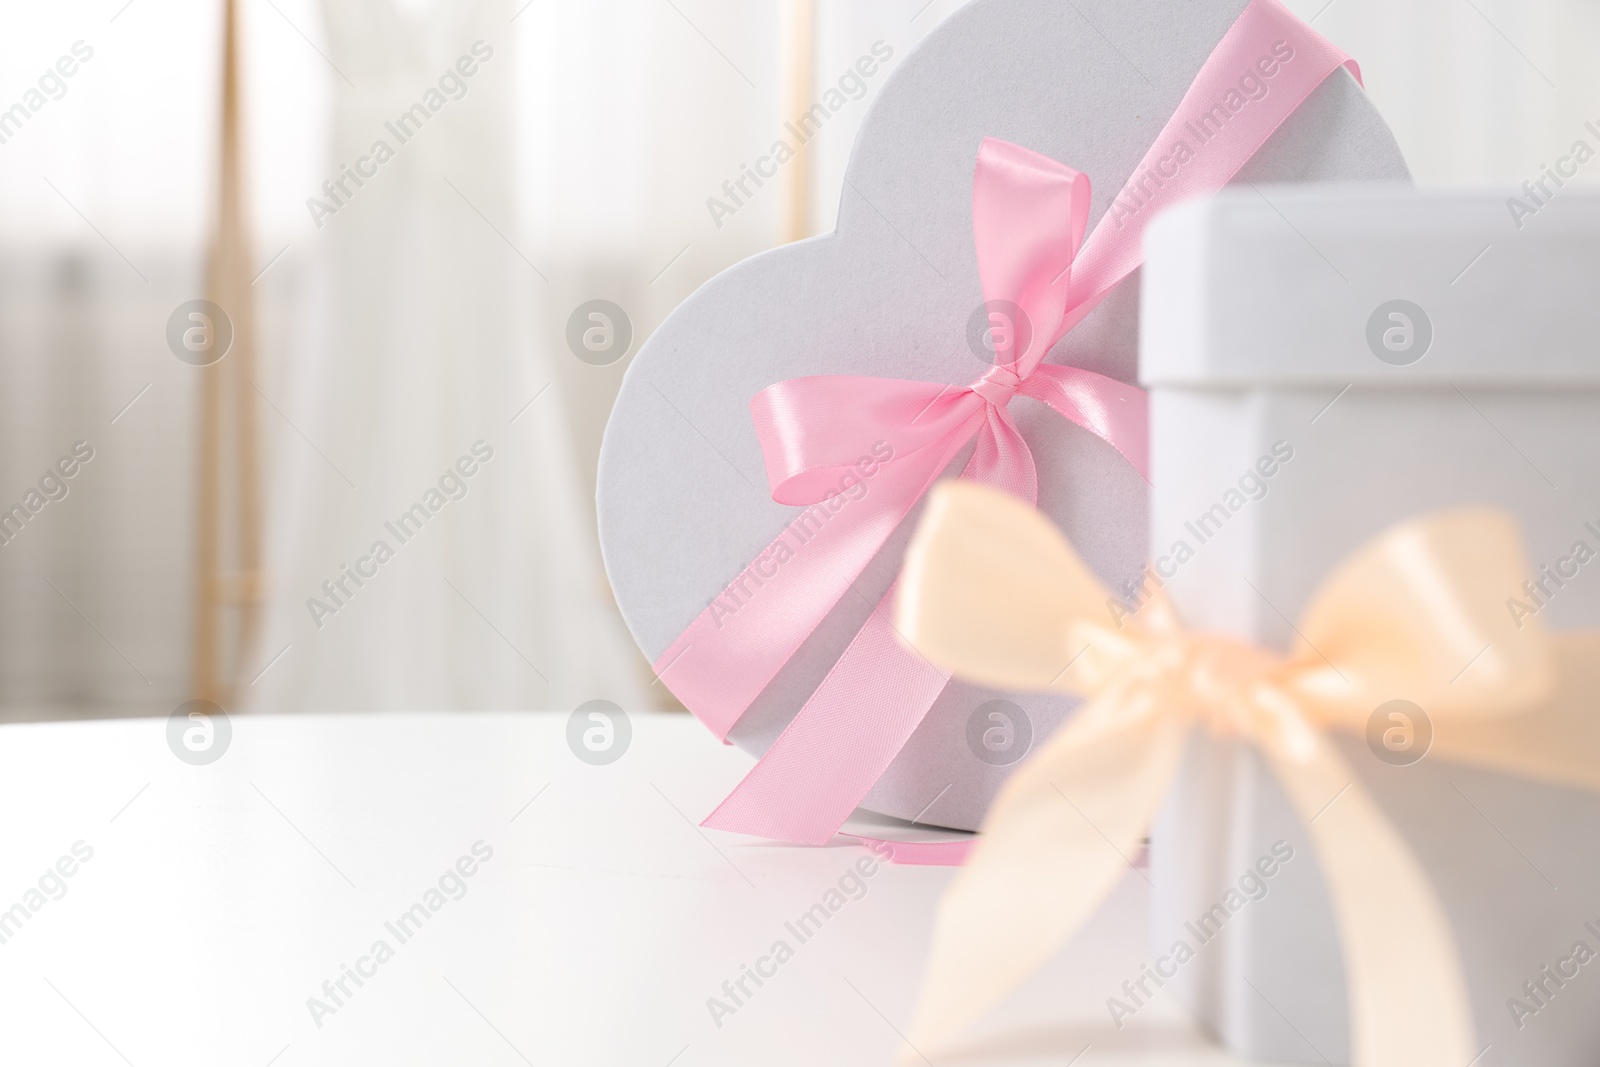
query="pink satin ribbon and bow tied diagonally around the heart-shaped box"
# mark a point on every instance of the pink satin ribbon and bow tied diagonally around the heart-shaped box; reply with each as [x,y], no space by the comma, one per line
[826,438]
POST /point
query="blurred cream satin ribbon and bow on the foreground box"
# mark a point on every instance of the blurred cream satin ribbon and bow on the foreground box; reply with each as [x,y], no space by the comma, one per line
[994,594]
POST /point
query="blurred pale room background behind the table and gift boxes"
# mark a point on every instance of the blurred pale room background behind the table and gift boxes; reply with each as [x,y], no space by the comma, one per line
[399,318]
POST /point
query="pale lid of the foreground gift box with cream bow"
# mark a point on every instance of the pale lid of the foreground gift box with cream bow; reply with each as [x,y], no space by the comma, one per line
[1334,286]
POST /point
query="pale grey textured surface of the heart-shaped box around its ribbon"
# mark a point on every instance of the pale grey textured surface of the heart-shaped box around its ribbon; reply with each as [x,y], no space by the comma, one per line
[682,498]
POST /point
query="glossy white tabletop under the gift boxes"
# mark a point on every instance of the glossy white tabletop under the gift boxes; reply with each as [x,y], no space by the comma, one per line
[220,898]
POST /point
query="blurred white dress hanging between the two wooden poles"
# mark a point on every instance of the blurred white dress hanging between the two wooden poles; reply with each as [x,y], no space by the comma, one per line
[423,442]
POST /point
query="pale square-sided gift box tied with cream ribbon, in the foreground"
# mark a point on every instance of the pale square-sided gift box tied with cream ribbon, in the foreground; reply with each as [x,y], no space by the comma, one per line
[1322,364]
